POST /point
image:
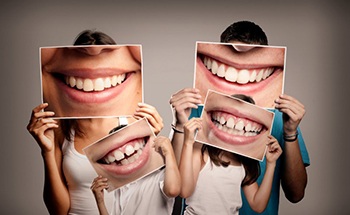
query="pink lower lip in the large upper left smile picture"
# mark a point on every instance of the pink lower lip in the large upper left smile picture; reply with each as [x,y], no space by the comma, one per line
[95,97]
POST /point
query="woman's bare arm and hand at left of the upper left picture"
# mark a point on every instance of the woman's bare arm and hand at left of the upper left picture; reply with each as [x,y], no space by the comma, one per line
[56,196]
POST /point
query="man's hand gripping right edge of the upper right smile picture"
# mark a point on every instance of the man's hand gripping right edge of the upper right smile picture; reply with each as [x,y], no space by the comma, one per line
[293,112]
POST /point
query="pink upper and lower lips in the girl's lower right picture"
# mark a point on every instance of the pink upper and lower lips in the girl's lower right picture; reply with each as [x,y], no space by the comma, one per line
[231,138]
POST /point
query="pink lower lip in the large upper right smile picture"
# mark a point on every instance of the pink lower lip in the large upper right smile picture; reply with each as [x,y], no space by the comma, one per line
[230,87]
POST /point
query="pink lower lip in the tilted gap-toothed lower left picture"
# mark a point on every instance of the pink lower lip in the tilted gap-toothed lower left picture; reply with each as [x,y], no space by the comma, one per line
[131,167]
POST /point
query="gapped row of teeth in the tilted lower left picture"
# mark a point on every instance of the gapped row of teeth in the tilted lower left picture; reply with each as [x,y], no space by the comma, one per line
[119,155]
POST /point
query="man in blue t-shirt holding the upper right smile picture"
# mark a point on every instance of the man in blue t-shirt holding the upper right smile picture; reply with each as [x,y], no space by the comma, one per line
[290,169]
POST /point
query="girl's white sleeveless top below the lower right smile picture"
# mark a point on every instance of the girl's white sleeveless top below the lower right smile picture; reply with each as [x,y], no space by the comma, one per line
[218,190]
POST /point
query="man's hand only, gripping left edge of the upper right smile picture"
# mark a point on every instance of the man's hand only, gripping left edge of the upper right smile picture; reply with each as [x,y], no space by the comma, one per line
[182,102]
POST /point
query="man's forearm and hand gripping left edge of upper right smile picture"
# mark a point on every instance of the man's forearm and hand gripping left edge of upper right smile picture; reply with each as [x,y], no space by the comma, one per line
[182,102]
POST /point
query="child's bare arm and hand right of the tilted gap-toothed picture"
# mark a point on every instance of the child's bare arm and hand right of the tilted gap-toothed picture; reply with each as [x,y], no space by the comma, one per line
[172,179]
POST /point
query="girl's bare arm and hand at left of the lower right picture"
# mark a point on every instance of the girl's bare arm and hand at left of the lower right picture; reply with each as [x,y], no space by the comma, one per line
[191,159]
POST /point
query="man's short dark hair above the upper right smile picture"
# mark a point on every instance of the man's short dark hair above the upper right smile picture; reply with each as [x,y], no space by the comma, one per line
[244,31]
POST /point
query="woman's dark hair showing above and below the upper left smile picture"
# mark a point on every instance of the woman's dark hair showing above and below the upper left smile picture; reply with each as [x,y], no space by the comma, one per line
[86,37]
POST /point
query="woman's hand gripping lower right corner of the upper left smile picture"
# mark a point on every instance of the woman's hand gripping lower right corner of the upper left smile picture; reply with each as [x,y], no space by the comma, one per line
[151,114]
